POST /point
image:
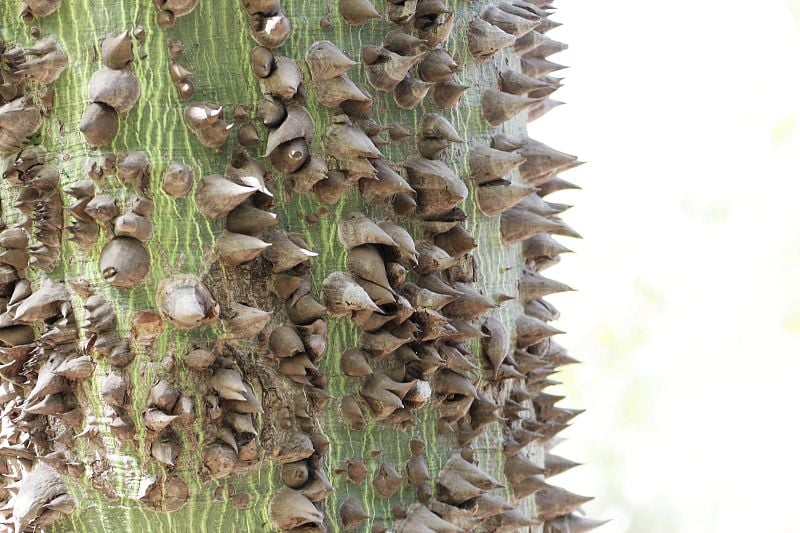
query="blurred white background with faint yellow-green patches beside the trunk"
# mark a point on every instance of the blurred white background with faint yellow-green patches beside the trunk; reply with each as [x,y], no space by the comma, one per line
[688,315]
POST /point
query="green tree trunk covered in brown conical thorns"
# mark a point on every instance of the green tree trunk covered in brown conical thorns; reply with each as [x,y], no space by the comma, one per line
[180,360]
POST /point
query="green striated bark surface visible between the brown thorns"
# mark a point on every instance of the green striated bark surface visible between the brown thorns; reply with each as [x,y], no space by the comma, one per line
[217,44]
